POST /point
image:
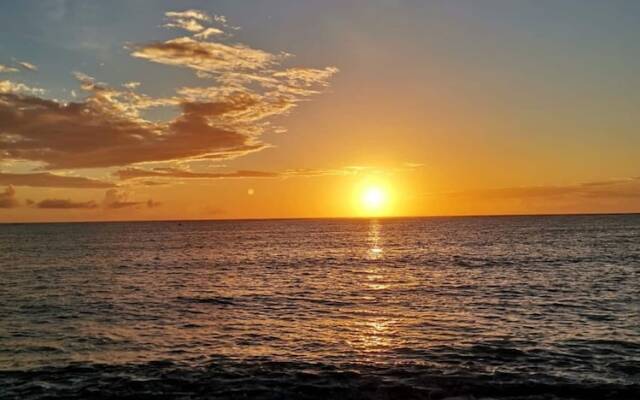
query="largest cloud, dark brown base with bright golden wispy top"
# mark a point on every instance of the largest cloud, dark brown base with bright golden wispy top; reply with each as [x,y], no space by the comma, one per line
[222,120]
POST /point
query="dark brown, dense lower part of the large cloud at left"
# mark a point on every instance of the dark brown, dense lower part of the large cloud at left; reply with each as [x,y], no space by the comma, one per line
[90,134]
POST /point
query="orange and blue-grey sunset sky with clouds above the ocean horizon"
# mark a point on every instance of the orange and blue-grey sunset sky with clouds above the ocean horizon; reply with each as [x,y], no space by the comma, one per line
[153,110]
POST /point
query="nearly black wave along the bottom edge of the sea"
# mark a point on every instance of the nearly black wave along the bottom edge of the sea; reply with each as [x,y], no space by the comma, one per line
[264,379]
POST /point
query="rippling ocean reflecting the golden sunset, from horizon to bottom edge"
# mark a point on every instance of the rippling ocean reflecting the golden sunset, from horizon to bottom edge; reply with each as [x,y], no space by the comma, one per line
[416,308]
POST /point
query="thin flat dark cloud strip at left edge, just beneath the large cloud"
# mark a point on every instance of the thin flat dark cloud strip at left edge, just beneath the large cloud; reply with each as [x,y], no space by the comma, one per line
[45,179]
